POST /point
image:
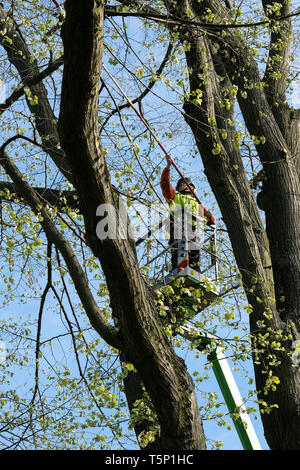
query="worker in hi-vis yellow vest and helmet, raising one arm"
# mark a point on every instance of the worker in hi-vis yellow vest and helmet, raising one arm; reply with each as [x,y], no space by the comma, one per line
[182,201]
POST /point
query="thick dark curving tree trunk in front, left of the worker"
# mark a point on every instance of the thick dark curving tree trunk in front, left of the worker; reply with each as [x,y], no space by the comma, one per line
[141,333]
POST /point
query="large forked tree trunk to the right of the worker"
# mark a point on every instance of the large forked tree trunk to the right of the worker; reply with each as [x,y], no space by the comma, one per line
[268,260]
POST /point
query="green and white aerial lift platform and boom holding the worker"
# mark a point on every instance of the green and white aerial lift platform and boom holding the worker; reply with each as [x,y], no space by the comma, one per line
[185,279]
